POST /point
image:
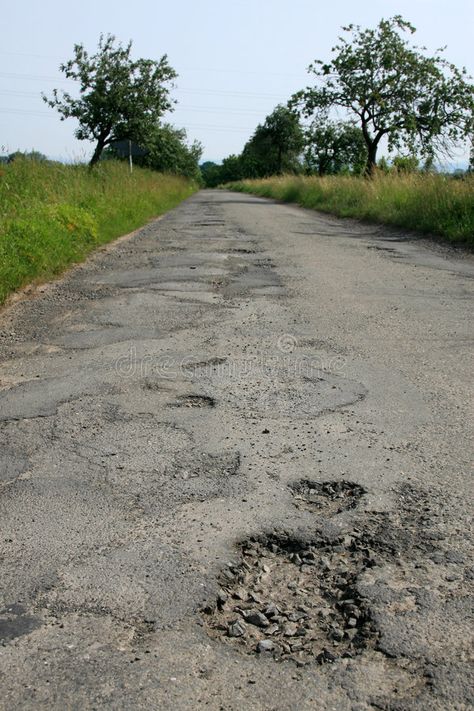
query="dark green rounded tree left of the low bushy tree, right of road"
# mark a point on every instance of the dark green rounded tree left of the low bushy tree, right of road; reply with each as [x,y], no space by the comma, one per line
[275,146]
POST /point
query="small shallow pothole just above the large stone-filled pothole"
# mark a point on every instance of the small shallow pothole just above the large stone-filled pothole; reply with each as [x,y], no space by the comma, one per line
[332,496]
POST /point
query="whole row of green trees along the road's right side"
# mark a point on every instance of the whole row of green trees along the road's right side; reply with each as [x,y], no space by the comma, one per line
[388,90]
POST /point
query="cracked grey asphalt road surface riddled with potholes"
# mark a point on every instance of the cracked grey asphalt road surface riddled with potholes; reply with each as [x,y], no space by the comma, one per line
[240,407]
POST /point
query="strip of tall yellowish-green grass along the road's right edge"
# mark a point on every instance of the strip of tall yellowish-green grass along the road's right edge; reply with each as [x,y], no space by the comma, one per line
[430,204]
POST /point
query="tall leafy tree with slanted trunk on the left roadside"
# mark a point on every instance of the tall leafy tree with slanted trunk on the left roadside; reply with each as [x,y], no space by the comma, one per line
[120,98]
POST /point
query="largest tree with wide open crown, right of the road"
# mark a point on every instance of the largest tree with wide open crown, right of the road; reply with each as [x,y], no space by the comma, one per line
[417,102]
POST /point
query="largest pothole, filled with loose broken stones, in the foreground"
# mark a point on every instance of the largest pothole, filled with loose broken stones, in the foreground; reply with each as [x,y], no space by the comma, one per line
[294,600]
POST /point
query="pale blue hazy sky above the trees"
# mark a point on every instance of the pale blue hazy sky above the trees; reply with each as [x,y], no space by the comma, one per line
[236,60]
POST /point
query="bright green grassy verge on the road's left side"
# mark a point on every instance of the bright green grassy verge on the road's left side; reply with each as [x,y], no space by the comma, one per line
[53,215]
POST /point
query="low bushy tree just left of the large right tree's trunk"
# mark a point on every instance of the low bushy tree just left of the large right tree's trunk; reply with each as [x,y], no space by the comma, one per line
[334,147]
